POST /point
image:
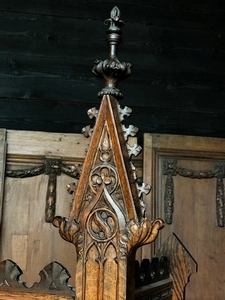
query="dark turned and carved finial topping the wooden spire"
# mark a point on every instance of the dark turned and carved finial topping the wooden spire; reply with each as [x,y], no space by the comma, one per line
[111,69]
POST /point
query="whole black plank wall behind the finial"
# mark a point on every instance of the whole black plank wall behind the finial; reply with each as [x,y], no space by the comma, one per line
[177,47]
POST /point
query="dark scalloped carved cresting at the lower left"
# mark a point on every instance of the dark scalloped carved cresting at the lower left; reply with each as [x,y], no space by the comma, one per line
[54,279]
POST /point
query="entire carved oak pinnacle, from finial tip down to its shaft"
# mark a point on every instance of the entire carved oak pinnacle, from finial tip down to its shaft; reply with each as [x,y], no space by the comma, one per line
[107,222]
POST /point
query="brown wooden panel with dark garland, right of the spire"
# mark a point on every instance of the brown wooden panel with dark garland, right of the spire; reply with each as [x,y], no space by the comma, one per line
[187,177]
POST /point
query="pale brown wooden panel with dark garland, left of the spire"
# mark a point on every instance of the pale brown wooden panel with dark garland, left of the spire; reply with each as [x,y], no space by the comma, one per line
[40,170]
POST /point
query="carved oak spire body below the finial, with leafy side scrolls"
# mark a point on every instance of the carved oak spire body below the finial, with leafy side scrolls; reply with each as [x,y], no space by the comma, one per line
[107,209]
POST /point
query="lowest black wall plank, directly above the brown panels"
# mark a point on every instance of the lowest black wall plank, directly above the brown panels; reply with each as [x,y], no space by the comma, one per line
[69,117]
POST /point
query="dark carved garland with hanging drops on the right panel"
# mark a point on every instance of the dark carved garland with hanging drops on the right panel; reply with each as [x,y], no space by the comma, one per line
[170,168]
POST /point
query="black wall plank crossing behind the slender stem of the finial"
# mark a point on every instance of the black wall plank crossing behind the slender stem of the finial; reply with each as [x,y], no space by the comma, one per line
[51,36]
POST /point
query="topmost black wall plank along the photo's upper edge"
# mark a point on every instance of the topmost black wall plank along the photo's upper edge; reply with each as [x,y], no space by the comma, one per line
[164,11]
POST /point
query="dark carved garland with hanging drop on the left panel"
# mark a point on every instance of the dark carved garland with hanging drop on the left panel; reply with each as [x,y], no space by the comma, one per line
[52,167]
